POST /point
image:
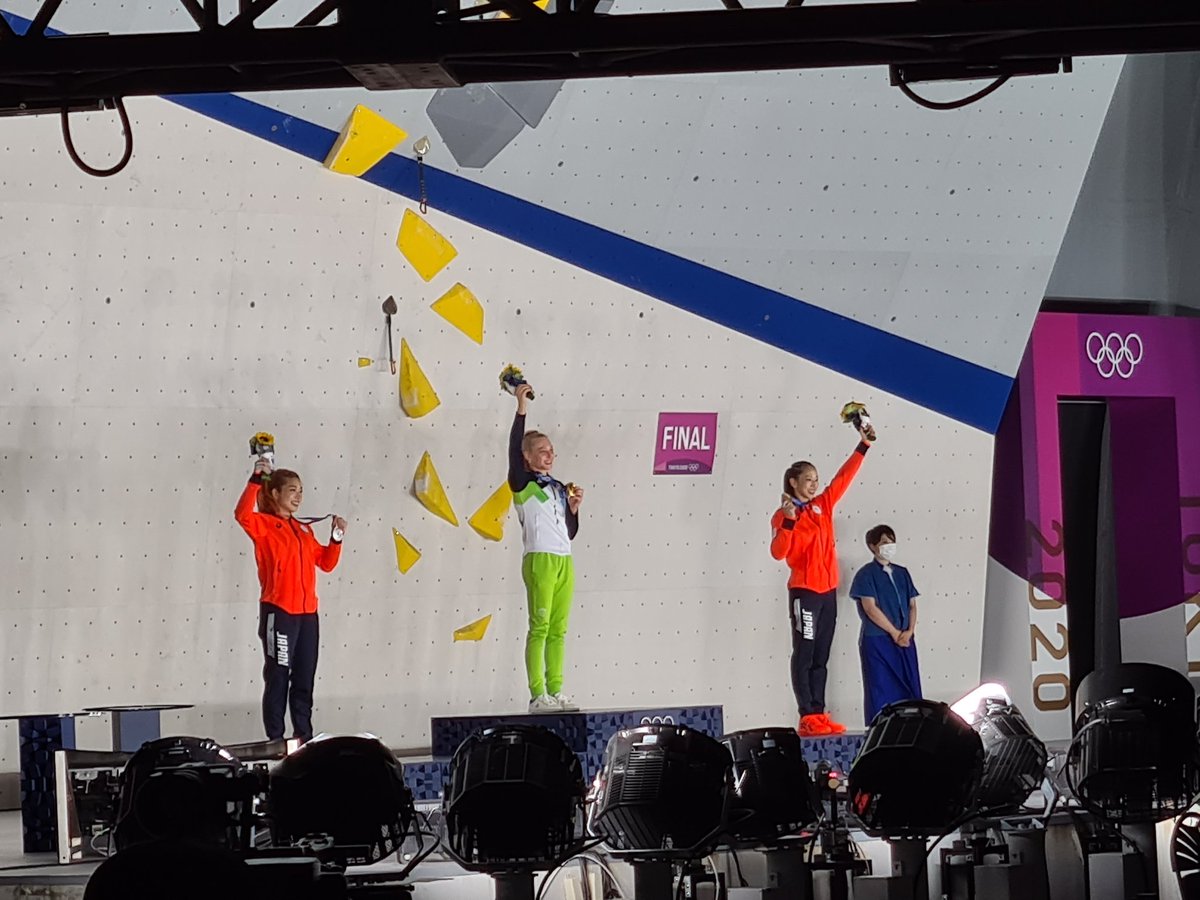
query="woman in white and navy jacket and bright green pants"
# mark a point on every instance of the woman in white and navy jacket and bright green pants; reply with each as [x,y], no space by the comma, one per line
[549,515]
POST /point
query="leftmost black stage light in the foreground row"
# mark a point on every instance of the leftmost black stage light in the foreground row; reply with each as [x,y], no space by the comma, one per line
[184,789]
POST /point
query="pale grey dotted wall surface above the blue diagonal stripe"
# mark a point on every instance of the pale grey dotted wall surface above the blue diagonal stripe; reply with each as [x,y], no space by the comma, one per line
[826,185]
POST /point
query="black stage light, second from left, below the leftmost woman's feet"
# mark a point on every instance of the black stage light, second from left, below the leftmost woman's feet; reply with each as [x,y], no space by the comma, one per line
[350,789]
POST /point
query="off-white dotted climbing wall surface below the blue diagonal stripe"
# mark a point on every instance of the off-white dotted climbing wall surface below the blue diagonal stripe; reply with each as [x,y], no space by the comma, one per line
[153,322]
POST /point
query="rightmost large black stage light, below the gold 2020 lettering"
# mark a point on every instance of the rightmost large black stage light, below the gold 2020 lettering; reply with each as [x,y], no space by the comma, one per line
[1135,758]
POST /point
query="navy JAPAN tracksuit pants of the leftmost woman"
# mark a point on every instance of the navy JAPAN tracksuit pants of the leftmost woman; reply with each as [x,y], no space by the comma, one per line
[290,669]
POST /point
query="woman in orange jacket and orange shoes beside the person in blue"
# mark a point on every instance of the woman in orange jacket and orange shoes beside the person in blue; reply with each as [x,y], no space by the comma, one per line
[803,535]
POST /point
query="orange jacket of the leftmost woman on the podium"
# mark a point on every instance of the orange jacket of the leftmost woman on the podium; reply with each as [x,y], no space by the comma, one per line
[287,555]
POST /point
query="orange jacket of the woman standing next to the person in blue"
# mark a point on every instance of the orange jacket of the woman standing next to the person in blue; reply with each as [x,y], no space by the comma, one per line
[807,543]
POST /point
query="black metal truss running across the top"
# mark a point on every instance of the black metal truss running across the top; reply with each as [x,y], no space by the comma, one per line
[388,45]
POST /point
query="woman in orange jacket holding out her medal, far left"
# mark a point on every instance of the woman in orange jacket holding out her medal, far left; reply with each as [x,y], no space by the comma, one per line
[287,555]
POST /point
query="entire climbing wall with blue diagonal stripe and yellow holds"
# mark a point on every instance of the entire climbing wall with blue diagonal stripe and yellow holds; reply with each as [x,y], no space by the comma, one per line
[645,257]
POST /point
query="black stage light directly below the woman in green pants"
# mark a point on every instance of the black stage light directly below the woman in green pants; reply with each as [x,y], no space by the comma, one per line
[514,805]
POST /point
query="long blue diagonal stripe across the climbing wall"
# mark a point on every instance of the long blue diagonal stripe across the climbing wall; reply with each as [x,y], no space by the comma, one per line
[932,379]
